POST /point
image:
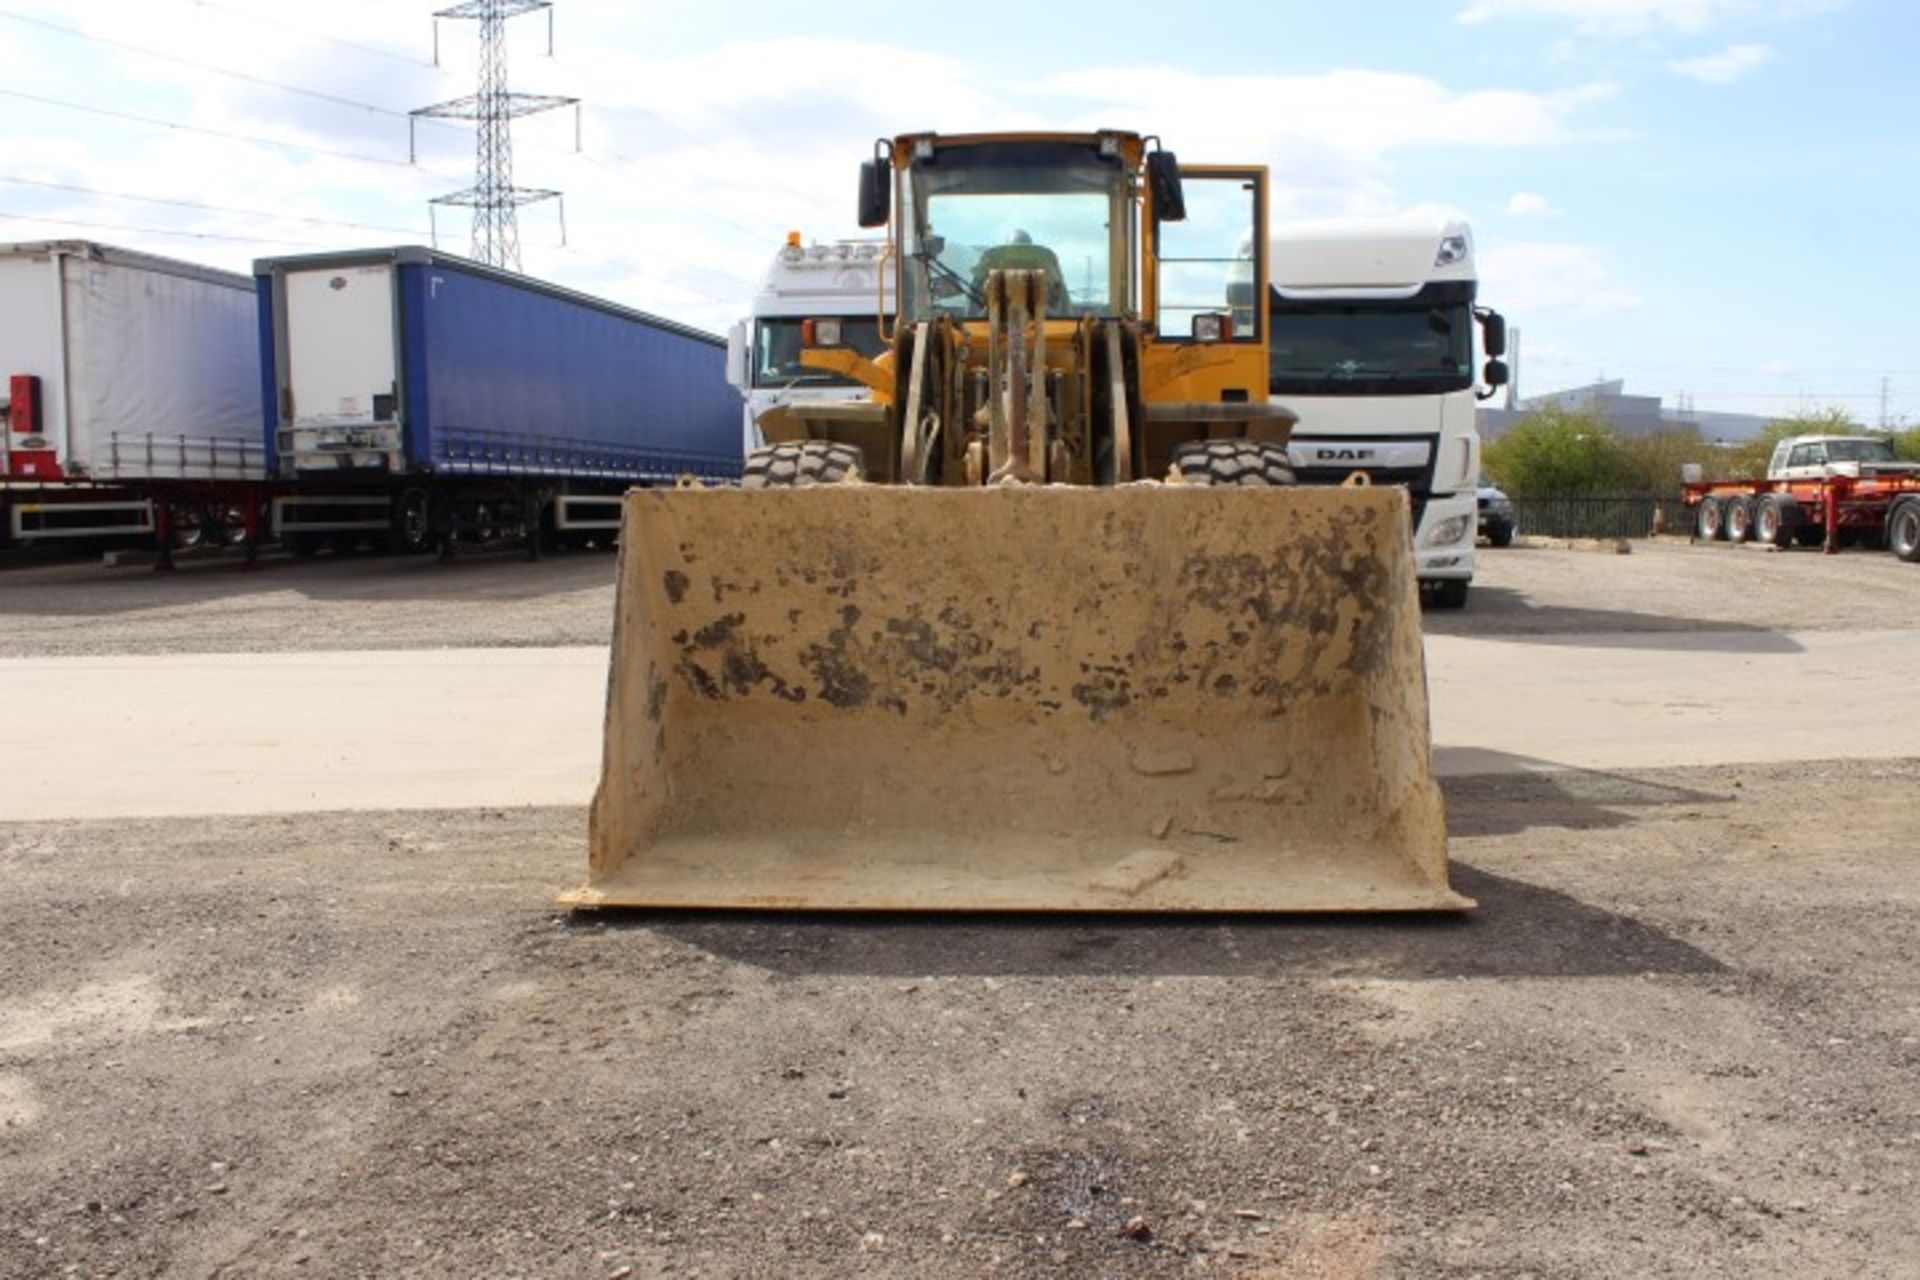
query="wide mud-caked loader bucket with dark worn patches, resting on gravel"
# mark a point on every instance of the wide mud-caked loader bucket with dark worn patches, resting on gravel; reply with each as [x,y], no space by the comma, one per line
[1126,699]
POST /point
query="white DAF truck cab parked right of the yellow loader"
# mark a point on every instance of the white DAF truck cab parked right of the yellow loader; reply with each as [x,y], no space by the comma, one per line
[1374,346]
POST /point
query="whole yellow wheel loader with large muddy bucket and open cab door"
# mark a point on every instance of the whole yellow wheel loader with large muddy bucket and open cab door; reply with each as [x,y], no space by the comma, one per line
[1042,623]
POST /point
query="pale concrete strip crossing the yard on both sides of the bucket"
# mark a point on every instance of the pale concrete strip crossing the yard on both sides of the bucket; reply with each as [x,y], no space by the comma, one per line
[464,728]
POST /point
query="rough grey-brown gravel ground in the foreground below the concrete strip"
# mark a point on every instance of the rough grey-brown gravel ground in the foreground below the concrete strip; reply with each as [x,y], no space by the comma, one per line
[1679,1039]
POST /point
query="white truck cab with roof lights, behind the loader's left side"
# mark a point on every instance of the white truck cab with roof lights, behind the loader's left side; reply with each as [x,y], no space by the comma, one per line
[844,279]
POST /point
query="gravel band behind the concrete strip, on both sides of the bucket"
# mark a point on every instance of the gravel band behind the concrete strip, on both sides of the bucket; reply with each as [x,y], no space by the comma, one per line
[502,600]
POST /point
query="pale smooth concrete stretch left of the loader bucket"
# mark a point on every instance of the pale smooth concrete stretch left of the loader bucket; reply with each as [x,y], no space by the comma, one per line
[300,732]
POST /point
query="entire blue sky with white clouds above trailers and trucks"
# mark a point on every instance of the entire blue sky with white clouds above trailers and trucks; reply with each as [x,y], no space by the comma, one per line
[1710,199]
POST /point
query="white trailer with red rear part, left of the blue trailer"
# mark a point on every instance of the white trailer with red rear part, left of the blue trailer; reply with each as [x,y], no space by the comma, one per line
[130,381]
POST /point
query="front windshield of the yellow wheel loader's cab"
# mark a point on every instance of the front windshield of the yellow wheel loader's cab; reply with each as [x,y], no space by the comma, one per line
[1044,208]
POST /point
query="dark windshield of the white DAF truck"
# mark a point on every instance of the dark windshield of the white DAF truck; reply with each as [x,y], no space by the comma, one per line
[1370,348]
